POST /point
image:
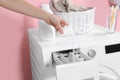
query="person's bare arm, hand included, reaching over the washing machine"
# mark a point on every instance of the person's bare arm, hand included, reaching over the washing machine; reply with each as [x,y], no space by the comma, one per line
[23,7]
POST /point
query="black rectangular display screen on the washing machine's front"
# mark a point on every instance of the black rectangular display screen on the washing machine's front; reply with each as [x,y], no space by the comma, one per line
[112,48]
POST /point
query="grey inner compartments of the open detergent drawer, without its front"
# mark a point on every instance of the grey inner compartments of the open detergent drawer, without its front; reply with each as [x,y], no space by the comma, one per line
[68,56]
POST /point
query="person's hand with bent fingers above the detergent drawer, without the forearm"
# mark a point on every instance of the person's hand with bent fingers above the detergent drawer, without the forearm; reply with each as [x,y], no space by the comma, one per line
[57,22]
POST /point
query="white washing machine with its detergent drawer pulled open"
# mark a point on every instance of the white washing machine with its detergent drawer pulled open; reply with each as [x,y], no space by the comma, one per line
[100,52]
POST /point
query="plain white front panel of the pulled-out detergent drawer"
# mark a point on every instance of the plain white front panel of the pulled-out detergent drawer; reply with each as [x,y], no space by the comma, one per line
[78,71]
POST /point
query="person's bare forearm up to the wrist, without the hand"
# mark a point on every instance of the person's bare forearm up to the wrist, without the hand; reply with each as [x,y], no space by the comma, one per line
[23,7]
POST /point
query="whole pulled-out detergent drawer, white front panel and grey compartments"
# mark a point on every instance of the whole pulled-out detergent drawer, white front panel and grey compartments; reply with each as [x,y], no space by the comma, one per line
[74,65]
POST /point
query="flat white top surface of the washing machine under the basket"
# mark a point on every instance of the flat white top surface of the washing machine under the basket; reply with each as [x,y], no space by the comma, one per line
[98,35]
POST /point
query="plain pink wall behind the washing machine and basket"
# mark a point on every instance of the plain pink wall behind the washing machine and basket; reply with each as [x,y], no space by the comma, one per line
[14,46]
